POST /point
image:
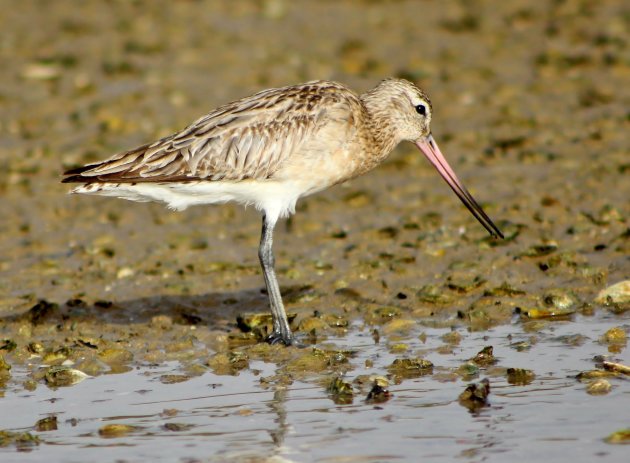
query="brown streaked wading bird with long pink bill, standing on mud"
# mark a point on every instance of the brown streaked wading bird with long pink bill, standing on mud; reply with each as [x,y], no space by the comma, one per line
[269,150]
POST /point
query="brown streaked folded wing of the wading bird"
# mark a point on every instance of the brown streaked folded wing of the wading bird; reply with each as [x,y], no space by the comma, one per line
[247,139]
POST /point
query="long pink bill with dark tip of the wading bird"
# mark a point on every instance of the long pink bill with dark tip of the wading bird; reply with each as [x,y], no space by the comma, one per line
[431,150]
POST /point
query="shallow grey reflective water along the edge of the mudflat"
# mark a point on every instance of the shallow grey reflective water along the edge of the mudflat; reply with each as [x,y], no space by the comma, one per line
[234,418]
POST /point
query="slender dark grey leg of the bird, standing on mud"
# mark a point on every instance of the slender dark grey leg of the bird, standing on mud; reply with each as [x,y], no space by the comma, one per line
[281,331]
